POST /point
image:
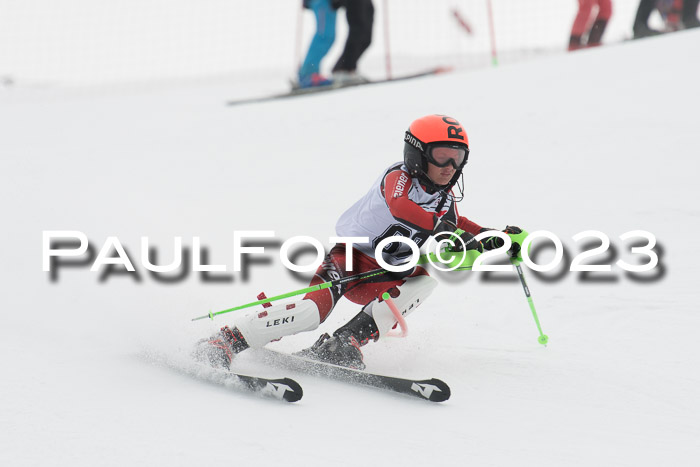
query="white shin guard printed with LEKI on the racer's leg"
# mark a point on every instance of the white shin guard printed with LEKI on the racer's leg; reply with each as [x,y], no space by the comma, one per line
[260,327]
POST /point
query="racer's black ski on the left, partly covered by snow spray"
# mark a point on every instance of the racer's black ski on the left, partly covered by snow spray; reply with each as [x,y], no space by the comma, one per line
[282,389]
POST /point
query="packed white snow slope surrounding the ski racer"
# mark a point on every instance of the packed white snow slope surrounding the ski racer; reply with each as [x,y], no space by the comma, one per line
[601,140]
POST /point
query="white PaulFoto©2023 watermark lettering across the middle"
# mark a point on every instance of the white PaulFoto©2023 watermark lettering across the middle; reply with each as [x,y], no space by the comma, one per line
[60,248]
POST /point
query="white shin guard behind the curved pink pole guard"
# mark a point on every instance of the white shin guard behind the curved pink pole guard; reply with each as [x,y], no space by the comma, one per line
[411,294]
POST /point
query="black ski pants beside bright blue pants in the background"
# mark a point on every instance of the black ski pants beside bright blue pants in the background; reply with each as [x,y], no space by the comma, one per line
[360,15]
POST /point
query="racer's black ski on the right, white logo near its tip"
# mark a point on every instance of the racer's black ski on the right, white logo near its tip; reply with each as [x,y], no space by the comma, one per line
[433,389]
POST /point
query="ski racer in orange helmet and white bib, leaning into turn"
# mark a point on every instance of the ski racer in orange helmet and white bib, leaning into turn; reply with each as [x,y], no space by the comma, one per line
[413,199]
